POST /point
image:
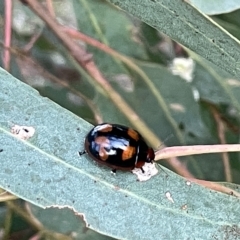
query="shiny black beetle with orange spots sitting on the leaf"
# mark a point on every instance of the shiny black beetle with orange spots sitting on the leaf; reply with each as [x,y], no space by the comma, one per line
[118,147]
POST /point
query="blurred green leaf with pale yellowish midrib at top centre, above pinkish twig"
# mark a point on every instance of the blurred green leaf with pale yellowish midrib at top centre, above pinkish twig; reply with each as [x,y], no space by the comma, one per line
[100,20]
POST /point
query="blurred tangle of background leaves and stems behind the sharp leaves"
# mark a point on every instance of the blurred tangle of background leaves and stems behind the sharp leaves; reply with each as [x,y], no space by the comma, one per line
[178,95]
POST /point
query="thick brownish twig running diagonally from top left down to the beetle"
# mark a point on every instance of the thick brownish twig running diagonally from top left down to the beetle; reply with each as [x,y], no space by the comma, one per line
[84,59]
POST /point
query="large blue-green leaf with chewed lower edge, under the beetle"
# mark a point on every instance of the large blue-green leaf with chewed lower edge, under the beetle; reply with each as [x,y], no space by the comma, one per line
[47,171]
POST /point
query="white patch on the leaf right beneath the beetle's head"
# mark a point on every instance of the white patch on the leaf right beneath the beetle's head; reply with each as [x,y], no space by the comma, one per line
[149,169]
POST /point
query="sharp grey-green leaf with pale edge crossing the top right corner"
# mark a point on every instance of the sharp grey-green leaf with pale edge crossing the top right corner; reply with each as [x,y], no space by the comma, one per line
[186,25]
